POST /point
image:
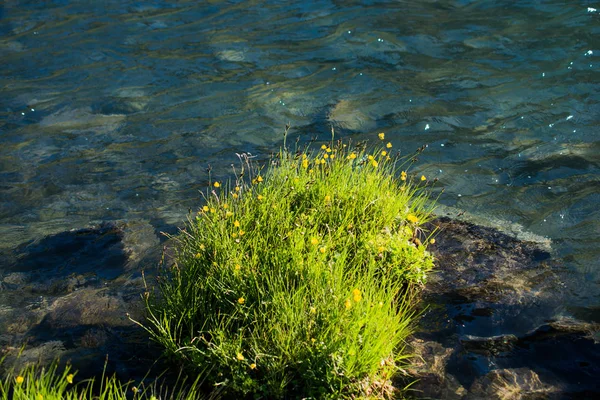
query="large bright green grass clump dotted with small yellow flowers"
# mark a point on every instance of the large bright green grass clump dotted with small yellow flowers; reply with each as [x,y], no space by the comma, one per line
[297,281]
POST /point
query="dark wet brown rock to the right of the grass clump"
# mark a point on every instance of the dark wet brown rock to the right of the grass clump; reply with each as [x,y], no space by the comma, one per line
[495,326]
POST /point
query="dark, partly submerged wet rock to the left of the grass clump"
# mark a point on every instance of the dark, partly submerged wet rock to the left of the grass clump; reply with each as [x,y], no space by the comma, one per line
[70,296]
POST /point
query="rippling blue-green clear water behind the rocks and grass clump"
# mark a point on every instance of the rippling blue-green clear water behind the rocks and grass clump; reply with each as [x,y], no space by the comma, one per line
[114,110]
